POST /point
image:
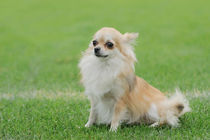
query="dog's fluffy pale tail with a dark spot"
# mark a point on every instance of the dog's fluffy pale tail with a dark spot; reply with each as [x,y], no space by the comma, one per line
[177,105]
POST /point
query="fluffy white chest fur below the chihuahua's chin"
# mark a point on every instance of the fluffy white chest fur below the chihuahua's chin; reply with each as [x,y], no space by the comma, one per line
[100,77]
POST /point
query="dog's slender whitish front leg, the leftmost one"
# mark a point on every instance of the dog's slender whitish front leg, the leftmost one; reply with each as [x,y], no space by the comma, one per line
[93,114]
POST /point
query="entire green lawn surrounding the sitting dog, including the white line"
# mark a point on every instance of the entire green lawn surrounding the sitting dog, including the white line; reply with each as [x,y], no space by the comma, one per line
[40,46]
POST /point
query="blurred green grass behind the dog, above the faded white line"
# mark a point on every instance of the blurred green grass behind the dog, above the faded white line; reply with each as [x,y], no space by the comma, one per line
[41,41]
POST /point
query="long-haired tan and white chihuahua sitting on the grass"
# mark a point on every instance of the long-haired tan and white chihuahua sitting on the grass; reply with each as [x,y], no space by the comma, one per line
[116,94]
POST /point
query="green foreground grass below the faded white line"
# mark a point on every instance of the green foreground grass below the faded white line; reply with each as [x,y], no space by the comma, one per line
[55,119]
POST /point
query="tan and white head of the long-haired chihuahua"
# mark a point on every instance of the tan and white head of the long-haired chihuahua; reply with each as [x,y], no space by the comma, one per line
[108,43]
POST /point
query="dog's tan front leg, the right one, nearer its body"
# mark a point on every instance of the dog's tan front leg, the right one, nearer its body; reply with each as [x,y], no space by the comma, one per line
[119,110]
